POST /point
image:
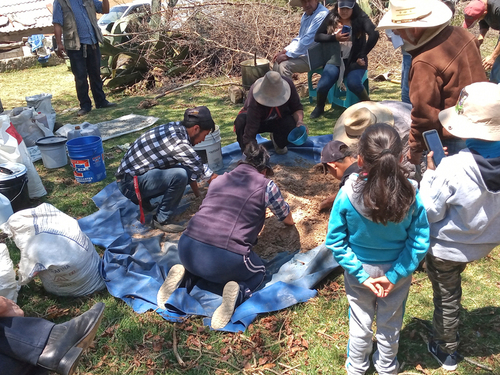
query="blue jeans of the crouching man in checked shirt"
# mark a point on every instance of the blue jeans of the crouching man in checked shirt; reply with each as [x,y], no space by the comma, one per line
[170,183]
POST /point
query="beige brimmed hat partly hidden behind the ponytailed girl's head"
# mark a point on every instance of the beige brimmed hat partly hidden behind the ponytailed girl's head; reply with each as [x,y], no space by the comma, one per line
[355,119]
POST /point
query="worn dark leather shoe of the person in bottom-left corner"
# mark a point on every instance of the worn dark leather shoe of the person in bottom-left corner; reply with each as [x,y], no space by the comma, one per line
[67,341]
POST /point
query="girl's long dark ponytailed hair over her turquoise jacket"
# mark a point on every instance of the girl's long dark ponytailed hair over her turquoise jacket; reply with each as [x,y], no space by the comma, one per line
[383,184]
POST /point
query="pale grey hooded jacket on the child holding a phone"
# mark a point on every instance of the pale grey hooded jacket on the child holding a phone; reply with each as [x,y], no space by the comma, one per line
[462,199]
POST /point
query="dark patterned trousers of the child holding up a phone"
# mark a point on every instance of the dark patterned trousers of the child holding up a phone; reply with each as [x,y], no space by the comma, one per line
[446,280]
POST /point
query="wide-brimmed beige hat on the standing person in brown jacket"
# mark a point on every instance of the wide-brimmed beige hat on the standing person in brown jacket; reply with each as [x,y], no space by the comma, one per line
[405,14]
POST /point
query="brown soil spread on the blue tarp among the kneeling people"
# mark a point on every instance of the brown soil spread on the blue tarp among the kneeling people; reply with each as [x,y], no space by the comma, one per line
[303,189]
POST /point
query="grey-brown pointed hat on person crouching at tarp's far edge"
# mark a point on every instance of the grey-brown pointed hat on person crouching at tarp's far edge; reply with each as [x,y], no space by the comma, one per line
[271,90]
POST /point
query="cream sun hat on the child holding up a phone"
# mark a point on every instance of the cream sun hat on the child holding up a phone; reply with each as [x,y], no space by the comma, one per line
[476,114]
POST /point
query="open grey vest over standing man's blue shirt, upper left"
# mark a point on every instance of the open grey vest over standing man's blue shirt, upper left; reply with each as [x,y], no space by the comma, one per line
[70,33]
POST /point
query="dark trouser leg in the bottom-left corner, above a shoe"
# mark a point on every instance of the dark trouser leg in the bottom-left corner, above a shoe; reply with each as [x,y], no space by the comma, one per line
[22,340]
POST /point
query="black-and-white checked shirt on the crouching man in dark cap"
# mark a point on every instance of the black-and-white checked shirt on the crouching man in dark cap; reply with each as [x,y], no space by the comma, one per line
[163,147]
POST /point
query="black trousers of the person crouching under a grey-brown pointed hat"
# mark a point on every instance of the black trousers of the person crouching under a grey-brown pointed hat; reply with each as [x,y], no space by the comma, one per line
[280,128]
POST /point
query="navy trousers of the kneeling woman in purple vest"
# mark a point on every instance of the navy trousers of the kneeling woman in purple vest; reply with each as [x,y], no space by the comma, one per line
[220,266]
